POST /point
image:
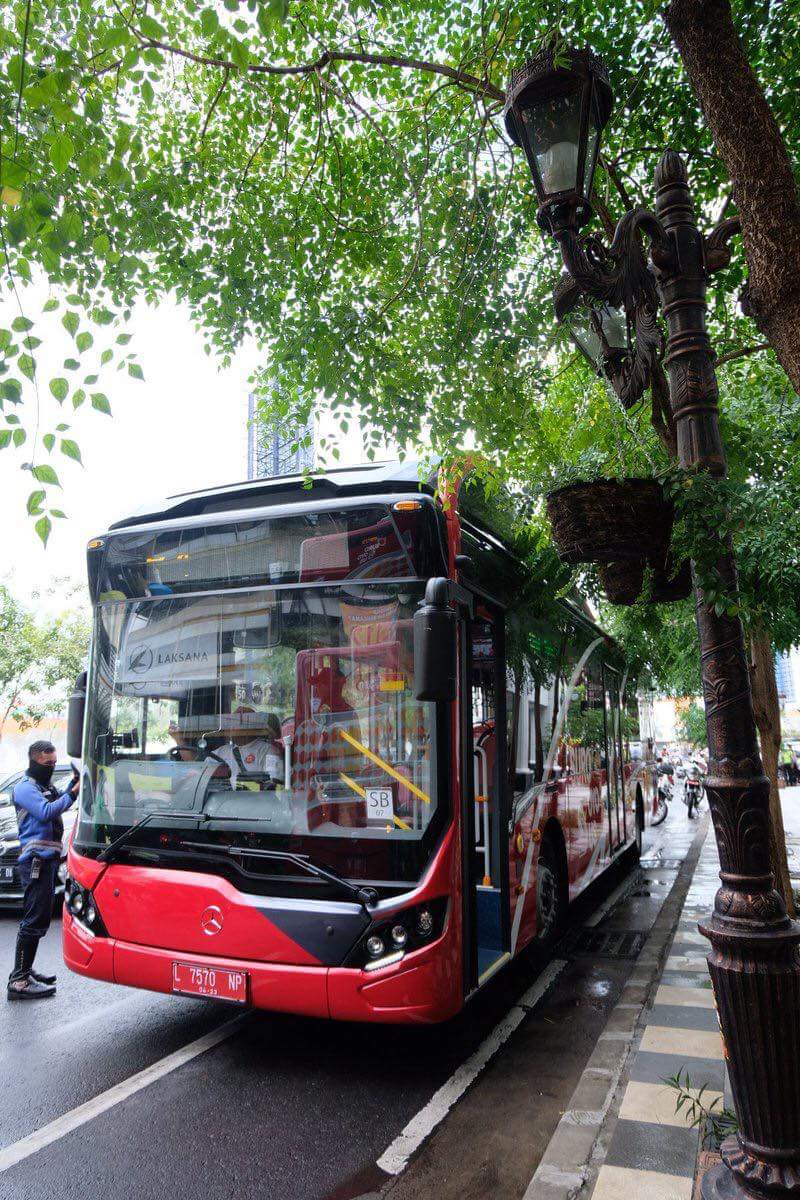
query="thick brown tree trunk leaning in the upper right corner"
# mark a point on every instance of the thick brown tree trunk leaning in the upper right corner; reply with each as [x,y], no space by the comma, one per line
[753,149]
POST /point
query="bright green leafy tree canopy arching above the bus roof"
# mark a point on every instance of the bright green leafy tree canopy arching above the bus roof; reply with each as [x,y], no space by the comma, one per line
[333,181]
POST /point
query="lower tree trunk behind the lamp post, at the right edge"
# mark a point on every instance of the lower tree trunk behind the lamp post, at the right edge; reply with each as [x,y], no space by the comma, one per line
[768,718]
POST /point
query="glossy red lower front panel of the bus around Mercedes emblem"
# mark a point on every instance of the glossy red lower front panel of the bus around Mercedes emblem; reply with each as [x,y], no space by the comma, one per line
[153,917]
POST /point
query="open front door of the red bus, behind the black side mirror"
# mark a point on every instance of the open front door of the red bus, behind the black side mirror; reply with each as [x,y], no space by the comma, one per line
[485,817]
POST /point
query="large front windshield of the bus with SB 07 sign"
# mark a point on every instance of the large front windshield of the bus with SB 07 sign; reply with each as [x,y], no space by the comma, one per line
[282,718]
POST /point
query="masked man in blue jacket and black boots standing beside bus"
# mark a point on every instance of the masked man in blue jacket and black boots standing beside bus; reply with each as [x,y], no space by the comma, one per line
[41,829]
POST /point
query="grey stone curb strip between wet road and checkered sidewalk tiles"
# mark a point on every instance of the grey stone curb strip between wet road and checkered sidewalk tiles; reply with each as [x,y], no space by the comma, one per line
[581,1141]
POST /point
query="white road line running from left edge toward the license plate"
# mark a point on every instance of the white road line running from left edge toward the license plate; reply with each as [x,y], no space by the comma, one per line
[59,1129]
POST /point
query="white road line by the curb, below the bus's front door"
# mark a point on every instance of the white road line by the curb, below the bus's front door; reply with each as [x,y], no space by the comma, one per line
[396,1157]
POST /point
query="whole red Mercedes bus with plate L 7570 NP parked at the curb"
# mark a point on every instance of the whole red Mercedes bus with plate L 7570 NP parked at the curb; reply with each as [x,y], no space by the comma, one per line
[316,779]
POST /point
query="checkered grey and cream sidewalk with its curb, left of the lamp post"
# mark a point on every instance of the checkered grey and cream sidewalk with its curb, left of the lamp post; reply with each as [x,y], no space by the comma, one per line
[622,1137]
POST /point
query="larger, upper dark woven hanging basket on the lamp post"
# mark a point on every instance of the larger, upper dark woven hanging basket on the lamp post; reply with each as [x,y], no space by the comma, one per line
[611,521]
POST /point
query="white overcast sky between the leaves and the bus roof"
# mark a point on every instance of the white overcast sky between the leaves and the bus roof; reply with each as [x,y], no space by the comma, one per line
[183,429]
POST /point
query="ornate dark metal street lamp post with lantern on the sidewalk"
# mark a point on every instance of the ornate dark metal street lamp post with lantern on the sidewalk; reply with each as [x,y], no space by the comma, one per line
[556,111]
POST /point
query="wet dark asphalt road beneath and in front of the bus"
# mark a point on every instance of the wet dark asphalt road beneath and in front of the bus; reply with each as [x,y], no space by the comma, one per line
[303,1109]
